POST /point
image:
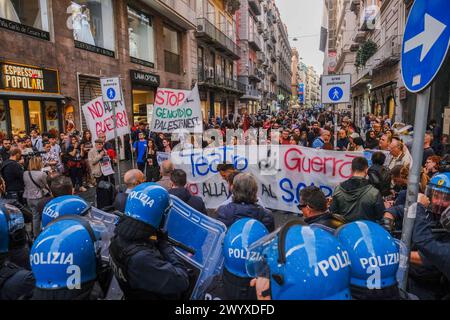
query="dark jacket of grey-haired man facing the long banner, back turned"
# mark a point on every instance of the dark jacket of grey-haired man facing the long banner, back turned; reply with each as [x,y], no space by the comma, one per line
[232,212]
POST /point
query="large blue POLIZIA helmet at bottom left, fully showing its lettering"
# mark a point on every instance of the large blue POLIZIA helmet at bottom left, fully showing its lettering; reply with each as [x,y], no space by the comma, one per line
[64,254]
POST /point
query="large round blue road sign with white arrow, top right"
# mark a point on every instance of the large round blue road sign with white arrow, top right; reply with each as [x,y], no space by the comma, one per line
[425,43]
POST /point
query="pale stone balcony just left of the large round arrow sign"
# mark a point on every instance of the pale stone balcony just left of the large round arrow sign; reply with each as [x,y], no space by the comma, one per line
[386,56]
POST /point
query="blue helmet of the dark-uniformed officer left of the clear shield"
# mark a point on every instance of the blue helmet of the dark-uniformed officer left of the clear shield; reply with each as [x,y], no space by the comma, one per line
[148,203]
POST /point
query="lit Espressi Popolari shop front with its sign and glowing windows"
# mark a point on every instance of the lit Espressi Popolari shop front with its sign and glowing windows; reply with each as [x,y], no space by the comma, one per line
[29,99]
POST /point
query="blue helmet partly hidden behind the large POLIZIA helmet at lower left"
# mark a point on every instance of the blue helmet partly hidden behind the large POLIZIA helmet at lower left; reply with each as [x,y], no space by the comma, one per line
[64,205]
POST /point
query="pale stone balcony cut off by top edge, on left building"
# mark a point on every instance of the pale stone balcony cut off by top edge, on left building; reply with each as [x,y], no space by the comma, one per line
[175,10]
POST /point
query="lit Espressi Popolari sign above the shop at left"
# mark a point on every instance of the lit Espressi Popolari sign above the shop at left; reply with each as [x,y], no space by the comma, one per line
[15,77]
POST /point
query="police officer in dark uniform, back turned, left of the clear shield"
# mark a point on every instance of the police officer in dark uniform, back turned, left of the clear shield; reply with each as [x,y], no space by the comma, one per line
[143,261]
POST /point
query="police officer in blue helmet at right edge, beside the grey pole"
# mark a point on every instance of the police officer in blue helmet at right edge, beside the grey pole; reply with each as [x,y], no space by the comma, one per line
[430,272]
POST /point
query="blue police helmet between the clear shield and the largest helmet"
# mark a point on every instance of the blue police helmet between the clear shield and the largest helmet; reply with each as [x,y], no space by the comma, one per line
[237,240]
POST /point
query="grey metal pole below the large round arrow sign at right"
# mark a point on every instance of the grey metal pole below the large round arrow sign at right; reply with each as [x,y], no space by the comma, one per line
[409,217]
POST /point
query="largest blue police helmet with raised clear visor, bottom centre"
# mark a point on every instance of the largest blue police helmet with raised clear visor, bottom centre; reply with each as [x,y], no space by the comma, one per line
[301,263]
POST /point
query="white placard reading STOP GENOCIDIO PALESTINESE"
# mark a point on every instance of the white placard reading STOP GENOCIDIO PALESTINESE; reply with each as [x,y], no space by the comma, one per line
[177,110]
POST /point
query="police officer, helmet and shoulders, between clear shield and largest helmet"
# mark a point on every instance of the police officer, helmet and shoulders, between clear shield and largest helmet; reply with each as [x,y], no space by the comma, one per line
[234,282]
